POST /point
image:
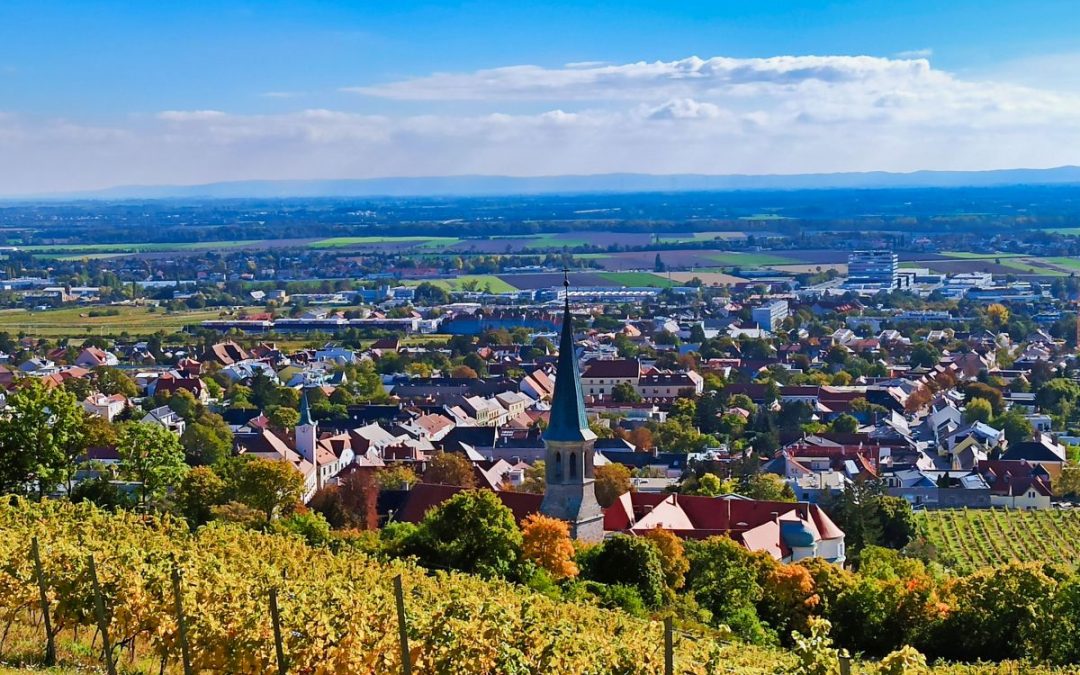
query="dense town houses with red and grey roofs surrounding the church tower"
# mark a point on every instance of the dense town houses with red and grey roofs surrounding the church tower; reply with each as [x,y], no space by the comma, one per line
[913,435]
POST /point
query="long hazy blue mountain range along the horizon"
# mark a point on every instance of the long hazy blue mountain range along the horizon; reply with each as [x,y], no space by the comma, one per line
[467,186]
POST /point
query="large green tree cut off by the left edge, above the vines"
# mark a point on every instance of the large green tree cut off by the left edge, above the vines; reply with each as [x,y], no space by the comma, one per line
[40,438]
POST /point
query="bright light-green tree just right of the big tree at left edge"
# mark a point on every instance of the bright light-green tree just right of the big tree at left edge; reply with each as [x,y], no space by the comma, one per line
[153,456]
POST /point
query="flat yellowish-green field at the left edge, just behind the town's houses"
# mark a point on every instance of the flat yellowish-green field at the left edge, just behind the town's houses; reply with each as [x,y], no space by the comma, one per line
[76,321]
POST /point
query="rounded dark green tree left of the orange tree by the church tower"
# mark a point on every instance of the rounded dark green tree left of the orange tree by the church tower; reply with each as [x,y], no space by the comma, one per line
[471,532]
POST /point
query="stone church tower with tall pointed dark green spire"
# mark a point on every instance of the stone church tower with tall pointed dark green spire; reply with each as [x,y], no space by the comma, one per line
[571,493]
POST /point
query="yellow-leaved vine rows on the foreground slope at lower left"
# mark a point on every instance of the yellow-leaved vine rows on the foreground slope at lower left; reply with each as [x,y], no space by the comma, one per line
[339,611]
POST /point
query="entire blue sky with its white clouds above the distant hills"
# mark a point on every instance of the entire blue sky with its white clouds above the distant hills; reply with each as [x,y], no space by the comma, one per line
[103,93]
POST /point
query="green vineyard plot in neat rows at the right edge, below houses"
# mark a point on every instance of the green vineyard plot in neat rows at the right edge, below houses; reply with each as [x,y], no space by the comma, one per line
[970,539]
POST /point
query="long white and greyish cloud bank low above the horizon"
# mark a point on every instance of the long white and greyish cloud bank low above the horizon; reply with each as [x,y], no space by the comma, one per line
[715,116]
